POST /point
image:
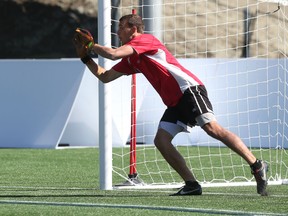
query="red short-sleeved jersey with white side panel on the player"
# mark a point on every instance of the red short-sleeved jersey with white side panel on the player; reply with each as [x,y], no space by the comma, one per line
[159,66]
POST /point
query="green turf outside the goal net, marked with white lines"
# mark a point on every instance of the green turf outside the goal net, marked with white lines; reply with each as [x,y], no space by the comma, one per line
[66,182]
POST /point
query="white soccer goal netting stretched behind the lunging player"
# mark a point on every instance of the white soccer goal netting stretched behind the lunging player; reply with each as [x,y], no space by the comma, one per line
[239,50]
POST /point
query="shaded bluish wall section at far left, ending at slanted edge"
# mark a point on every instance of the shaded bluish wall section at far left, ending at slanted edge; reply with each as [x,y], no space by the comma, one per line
[36,99]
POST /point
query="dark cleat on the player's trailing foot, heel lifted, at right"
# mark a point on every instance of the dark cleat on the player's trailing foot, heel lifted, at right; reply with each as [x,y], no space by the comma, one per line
[261,178]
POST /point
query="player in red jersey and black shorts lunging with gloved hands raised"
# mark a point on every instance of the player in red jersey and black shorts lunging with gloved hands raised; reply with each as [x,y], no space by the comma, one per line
[182,92]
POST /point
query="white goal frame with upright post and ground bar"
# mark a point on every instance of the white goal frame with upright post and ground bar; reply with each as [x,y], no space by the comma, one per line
[105,121]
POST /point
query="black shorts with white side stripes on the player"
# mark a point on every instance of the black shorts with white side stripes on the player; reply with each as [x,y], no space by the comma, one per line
[193,103]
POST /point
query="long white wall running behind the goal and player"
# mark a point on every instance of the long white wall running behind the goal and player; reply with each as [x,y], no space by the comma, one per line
[47,102]
